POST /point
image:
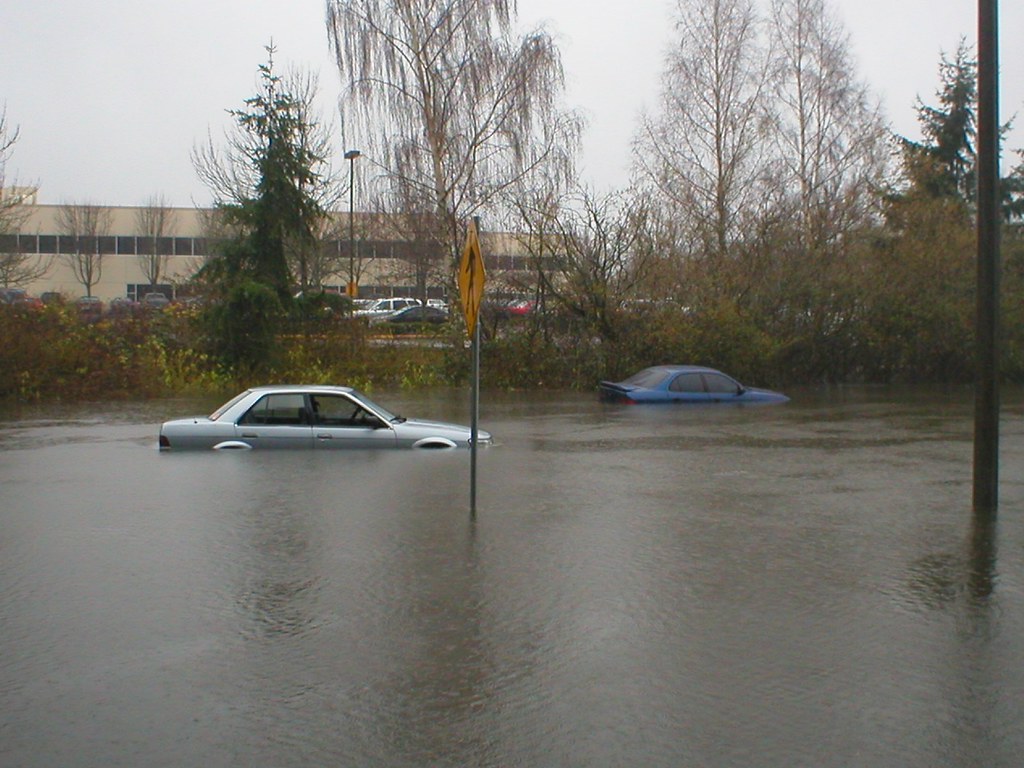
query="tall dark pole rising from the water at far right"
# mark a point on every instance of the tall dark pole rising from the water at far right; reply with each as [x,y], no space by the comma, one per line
[987,420]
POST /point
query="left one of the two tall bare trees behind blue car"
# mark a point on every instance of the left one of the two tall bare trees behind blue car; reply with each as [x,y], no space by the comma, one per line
[705,154]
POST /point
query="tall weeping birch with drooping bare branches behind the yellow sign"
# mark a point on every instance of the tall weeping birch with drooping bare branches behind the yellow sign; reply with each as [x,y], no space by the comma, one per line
[449,105]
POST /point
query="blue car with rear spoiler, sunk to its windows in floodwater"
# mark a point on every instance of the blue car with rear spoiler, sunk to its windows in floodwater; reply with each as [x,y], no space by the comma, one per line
[684,385]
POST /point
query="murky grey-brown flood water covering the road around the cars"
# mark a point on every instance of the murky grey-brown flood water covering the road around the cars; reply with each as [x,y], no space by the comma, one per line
[781,586]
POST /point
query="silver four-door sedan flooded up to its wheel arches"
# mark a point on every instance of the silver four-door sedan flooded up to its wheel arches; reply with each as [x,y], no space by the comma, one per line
[310,417]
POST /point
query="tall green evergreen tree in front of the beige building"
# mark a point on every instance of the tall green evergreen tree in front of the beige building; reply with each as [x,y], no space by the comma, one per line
[269,186]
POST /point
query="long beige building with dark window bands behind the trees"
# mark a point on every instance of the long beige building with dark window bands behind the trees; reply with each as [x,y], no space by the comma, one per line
[380,268]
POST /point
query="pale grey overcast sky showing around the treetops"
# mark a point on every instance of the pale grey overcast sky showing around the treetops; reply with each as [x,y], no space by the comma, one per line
[112,96]
